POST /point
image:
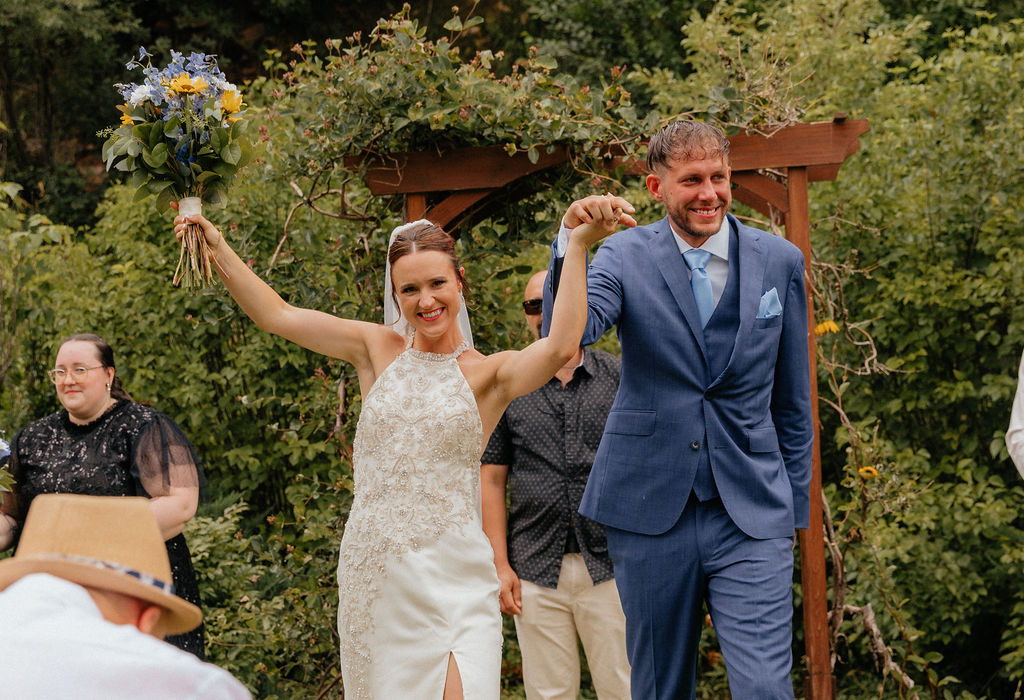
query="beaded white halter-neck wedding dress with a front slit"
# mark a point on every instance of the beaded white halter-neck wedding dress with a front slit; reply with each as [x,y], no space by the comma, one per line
[416,576]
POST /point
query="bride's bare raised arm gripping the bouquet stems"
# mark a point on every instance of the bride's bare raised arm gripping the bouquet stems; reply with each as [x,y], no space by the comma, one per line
[353,341]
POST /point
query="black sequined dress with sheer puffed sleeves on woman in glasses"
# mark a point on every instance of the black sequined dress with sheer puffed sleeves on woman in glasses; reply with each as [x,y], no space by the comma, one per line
[131,451]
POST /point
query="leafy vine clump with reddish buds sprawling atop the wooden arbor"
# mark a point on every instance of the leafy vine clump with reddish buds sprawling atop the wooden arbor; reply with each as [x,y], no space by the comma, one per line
[399,92]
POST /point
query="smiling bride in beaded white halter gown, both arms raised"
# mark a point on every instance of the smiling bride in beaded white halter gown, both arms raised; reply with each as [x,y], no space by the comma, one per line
[418,610]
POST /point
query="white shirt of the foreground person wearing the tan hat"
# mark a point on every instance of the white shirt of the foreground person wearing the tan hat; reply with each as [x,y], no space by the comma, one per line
[57,645]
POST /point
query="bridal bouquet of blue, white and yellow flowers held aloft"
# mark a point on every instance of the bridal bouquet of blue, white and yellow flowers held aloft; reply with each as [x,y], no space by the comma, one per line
[183,138]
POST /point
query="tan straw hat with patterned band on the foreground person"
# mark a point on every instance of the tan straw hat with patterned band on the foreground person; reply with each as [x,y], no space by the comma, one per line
[105,543]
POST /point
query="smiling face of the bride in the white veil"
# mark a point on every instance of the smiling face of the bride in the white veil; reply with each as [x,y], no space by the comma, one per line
[428,289]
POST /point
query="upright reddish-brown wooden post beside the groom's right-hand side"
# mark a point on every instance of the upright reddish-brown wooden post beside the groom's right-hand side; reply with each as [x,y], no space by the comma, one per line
[813,549]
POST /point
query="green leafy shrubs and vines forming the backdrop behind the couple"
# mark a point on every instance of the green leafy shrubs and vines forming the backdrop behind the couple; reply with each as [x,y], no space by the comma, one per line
[918,260]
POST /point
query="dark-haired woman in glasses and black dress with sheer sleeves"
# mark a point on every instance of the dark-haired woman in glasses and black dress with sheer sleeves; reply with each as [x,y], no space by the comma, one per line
[104,444]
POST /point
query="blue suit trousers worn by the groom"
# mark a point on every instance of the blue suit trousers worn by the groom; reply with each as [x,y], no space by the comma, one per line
[666,581]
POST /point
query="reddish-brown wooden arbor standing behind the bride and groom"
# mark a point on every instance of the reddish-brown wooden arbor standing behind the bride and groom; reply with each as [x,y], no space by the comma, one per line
[771,174]
